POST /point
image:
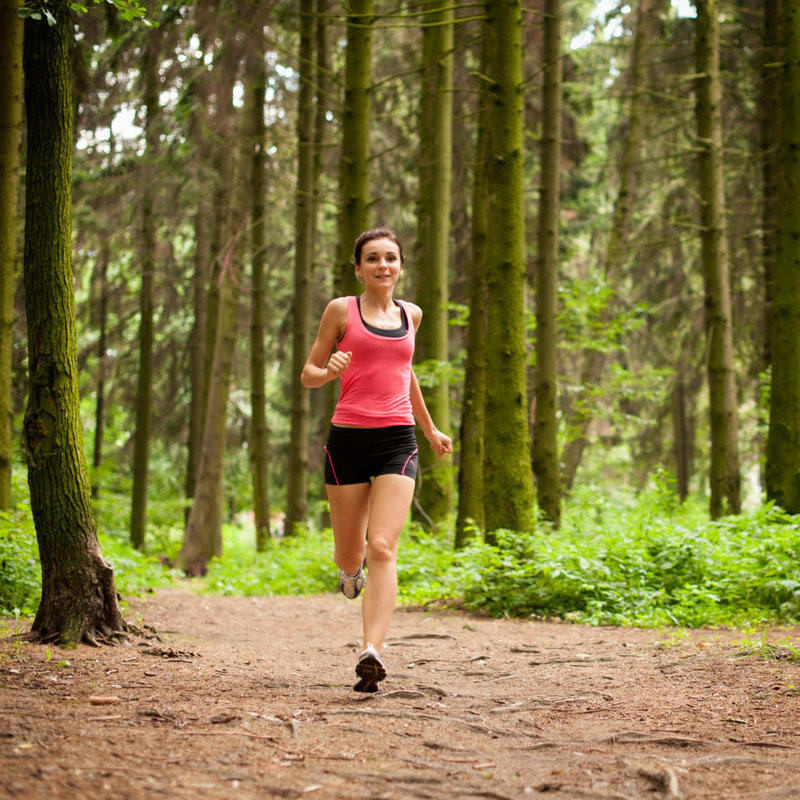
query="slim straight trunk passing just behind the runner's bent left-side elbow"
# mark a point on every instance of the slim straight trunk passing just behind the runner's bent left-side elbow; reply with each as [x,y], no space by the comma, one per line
[297,488]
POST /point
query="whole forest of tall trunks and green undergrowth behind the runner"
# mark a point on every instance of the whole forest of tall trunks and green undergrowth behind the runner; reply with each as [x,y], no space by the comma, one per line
[598,204]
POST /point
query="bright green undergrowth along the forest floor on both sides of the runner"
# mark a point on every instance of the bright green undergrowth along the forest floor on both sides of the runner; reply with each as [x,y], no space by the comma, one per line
[649,562]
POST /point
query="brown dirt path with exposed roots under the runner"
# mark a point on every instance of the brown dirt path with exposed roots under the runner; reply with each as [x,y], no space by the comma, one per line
[251,698]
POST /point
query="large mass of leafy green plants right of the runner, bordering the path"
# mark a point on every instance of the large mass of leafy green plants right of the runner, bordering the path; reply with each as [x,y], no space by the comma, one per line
[646,566]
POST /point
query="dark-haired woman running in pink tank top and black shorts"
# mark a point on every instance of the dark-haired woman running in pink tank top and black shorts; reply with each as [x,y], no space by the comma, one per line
[371,451]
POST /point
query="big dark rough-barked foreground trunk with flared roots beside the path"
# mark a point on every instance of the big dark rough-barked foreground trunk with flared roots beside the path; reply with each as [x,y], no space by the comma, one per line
[79,599]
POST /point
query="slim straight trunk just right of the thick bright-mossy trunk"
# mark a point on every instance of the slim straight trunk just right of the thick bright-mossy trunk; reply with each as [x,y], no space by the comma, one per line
[545,432]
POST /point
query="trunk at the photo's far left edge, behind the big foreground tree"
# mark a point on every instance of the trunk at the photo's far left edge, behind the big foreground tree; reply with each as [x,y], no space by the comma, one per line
[10,130]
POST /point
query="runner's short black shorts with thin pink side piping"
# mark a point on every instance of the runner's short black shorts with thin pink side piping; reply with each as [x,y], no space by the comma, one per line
[356,455]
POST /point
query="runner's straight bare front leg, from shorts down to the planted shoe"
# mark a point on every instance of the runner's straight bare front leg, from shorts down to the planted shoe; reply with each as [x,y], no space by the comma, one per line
[389,503]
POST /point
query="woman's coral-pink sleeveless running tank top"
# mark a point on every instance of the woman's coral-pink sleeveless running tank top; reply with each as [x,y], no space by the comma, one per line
[375,387]
